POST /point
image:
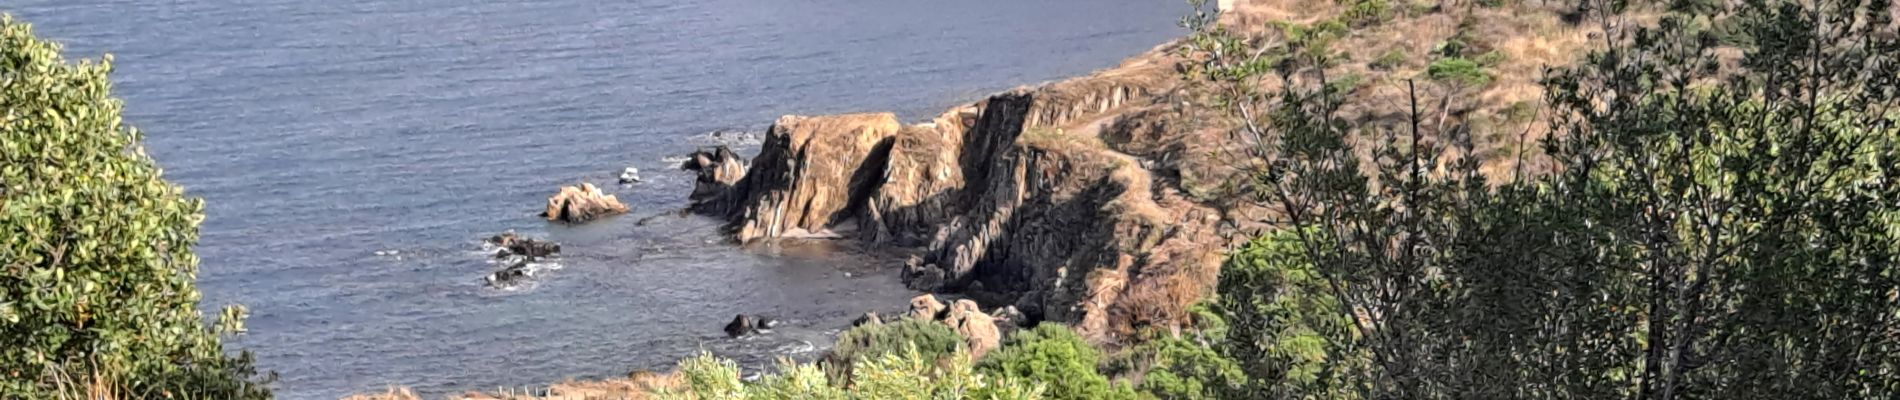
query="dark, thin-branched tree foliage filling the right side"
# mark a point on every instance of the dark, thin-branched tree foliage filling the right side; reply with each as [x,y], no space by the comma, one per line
[1711,227]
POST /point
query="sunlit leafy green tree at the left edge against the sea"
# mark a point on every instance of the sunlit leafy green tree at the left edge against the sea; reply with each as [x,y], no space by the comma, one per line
[96,247]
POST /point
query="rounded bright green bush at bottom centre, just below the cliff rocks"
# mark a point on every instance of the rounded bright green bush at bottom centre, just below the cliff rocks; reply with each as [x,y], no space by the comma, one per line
[1057,357]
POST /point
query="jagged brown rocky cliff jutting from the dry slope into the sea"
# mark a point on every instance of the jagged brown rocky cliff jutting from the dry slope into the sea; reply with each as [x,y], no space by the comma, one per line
[1016,200]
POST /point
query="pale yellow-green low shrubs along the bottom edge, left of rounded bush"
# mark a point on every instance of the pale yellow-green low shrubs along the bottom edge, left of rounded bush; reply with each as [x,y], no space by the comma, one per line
[907,374]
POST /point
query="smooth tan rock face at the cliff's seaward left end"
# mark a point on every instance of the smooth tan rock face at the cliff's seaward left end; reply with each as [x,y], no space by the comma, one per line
[812,172]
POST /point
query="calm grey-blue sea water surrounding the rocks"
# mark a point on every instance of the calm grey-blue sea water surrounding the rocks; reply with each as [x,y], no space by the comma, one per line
[324,134]
